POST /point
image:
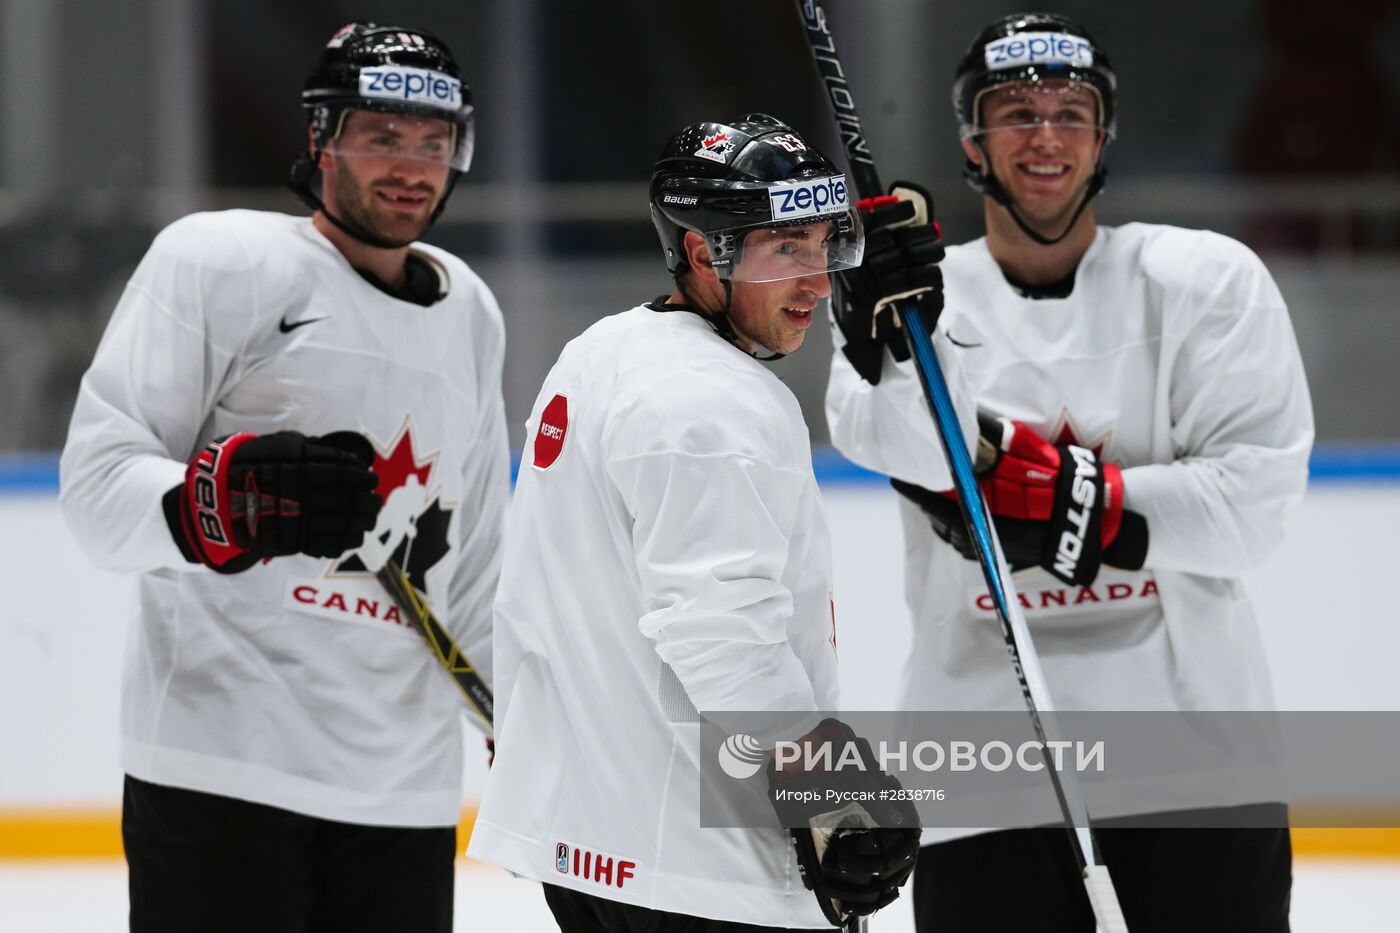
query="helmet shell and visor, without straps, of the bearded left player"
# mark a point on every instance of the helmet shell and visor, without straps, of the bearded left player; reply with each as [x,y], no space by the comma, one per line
[400,72]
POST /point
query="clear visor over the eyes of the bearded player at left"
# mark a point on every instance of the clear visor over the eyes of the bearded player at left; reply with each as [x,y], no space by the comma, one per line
[404,137]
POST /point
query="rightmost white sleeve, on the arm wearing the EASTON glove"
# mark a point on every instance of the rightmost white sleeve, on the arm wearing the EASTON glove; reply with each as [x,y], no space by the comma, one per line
[1242,429]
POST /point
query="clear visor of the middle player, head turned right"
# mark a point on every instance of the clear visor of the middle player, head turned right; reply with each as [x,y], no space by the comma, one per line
[790,251]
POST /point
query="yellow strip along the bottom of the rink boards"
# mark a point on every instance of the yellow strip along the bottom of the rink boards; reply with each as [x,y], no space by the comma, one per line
[97,834]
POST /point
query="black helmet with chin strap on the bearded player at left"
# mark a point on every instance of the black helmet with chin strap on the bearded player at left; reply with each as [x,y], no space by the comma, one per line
[388,71]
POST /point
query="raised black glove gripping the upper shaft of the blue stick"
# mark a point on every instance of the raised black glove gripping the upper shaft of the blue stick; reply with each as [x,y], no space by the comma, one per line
[904,249]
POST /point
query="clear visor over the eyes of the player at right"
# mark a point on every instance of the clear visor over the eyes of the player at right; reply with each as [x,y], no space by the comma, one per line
[1066,109]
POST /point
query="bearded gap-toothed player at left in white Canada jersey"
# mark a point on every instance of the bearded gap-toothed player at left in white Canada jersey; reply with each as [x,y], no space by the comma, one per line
[267,383]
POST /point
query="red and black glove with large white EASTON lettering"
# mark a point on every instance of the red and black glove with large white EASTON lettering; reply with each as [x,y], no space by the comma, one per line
[1059,508]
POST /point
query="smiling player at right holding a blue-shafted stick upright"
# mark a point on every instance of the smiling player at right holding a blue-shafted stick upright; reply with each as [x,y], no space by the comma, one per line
[1160,364]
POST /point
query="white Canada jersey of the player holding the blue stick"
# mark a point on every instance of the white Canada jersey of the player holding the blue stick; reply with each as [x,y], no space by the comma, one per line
[1174,358]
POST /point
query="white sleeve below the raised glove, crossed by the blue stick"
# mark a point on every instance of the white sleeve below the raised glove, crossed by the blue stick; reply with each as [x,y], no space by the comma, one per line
[890,428]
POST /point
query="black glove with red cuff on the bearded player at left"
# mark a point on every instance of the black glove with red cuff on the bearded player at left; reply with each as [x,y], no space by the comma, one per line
[247,498]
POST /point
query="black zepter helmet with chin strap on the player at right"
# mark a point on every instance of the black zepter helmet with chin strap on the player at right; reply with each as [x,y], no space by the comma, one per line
[1031,48]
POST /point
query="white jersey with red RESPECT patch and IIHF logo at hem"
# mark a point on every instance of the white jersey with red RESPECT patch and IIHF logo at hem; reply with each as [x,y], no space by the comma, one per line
[667,553]
